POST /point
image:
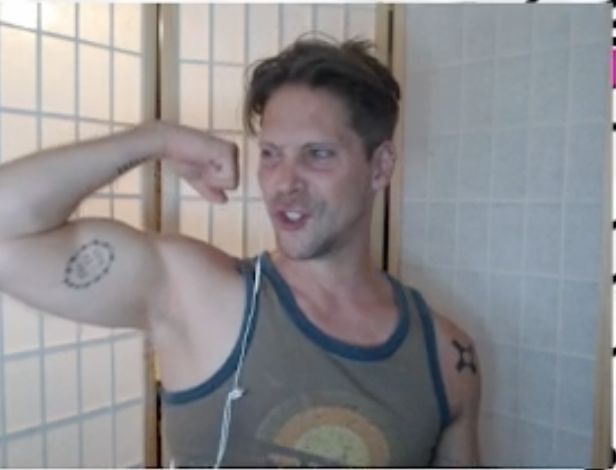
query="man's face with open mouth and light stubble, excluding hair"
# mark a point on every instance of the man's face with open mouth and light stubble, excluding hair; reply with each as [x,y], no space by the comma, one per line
[314,173]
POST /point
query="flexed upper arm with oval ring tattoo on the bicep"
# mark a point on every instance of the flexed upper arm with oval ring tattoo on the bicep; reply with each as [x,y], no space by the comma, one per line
[91,270]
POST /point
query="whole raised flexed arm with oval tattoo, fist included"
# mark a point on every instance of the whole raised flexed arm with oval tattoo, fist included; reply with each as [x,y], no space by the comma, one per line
[95,270]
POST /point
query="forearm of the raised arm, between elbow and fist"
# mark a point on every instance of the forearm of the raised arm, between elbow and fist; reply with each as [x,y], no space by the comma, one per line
[39,192]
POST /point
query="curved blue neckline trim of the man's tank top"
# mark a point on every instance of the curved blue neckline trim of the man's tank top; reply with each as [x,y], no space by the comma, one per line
[329,343]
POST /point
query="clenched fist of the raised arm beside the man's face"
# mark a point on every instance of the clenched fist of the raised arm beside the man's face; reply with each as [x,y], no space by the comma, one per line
[209,164]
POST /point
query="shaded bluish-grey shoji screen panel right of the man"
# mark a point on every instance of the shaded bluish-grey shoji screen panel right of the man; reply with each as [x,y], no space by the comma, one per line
[507,131]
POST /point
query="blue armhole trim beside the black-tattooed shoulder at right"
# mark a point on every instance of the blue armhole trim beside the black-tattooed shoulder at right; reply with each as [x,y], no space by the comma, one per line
[435,369]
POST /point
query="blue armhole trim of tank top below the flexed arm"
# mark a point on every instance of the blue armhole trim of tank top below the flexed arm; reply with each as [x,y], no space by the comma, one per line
[227,369]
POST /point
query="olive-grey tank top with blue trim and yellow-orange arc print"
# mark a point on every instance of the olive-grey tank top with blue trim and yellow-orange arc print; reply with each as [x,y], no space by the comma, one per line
[311,399]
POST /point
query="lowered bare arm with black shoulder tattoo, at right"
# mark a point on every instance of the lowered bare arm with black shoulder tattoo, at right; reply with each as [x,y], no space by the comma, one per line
[458,445]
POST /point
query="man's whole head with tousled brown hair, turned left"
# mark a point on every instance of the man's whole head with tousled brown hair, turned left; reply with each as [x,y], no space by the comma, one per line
[327,114]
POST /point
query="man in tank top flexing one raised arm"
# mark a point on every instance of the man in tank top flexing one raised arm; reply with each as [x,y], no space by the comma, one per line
[307,356]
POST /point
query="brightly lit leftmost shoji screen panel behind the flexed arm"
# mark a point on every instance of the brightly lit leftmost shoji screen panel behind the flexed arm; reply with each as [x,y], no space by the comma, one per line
[73,395]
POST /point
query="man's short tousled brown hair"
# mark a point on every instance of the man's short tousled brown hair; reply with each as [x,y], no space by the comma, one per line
[346,69]
